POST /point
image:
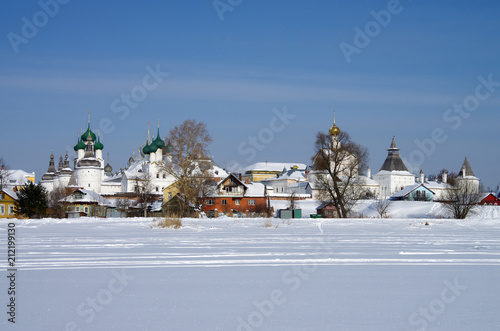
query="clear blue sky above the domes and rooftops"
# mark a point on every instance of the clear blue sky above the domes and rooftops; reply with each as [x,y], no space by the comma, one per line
[232,73]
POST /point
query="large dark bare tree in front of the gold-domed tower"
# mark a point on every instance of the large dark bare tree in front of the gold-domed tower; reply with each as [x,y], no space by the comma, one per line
[337,164]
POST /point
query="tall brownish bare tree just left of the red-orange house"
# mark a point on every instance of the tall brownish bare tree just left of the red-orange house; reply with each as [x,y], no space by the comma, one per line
[190,163]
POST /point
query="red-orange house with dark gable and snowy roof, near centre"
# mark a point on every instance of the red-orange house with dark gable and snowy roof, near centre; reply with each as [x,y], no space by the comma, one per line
[232,197]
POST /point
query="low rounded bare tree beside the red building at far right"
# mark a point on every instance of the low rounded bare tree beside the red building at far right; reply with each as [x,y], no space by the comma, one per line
[461,199]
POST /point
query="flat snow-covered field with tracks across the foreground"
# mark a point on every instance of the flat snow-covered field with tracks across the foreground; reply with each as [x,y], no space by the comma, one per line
[236,274]
